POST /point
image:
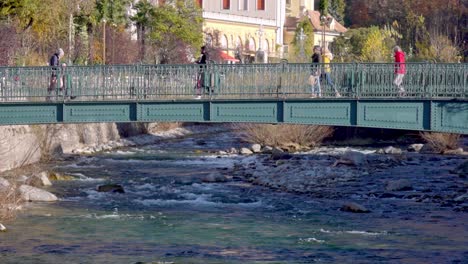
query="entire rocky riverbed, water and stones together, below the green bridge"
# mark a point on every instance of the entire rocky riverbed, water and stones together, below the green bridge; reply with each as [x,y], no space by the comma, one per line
[217,198]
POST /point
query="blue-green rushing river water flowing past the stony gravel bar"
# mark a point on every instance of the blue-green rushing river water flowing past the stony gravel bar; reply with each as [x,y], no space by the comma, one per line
[169,215]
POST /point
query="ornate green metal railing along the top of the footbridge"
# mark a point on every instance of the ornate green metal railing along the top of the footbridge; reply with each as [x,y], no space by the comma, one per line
[227,81]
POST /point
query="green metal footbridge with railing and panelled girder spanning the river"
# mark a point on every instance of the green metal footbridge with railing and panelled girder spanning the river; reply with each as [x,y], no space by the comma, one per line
[435,97]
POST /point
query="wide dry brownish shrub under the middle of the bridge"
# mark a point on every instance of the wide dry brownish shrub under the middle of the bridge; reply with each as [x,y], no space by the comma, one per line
[282,135]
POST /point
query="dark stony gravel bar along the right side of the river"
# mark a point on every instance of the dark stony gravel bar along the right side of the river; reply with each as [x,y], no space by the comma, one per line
[362,176]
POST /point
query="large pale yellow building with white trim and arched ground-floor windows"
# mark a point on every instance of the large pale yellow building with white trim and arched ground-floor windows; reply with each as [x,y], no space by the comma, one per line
[241,28]
